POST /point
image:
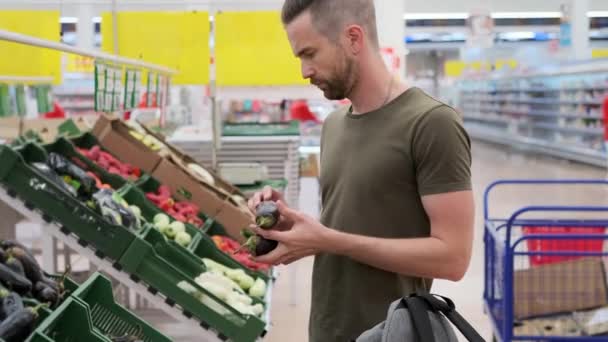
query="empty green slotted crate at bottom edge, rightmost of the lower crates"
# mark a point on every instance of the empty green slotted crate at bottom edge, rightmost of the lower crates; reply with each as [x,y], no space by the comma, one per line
[110,318]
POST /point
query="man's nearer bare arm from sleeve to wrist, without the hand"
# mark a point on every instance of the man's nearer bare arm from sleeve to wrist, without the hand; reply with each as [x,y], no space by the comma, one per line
[445,254]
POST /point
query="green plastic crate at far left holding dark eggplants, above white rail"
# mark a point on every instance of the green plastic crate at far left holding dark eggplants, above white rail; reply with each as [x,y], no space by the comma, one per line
[25,181]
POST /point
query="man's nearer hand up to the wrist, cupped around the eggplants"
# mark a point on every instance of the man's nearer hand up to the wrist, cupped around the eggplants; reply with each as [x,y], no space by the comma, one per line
[305,238]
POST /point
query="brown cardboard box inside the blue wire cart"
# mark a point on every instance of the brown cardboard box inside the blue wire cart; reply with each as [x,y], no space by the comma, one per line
[558,288]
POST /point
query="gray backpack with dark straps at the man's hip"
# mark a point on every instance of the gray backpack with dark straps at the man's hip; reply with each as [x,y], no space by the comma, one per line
[421,318]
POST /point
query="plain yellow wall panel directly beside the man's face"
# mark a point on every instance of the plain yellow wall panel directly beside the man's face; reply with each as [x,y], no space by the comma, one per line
[252,49]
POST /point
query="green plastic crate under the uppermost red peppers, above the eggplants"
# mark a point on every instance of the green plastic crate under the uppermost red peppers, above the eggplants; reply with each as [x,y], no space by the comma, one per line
[65,148]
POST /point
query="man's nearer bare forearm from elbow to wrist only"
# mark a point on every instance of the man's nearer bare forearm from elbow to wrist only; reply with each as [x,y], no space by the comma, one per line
[423,257]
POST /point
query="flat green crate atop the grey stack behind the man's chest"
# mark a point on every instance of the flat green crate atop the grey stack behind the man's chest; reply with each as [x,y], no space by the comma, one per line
[291,128]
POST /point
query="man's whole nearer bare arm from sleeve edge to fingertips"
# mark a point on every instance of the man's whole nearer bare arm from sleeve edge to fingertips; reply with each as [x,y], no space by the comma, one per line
[445,254]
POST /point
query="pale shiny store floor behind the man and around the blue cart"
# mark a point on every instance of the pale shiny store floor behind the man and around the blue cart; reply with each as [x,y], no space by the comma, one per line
[291,296]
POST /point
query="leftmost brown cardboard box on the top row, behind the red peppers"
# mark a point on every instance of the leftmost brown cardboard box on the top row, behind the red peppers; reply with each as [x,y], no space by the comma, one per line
[113,135]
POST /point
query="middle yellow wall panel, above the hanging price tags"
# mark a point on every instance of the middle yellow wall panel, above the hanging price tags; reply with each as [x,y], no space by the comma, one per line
[178,40]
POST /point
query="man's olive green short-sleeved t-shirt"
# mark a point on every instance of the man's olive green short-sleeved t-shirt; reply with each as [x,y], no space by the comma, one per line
[375,168]
